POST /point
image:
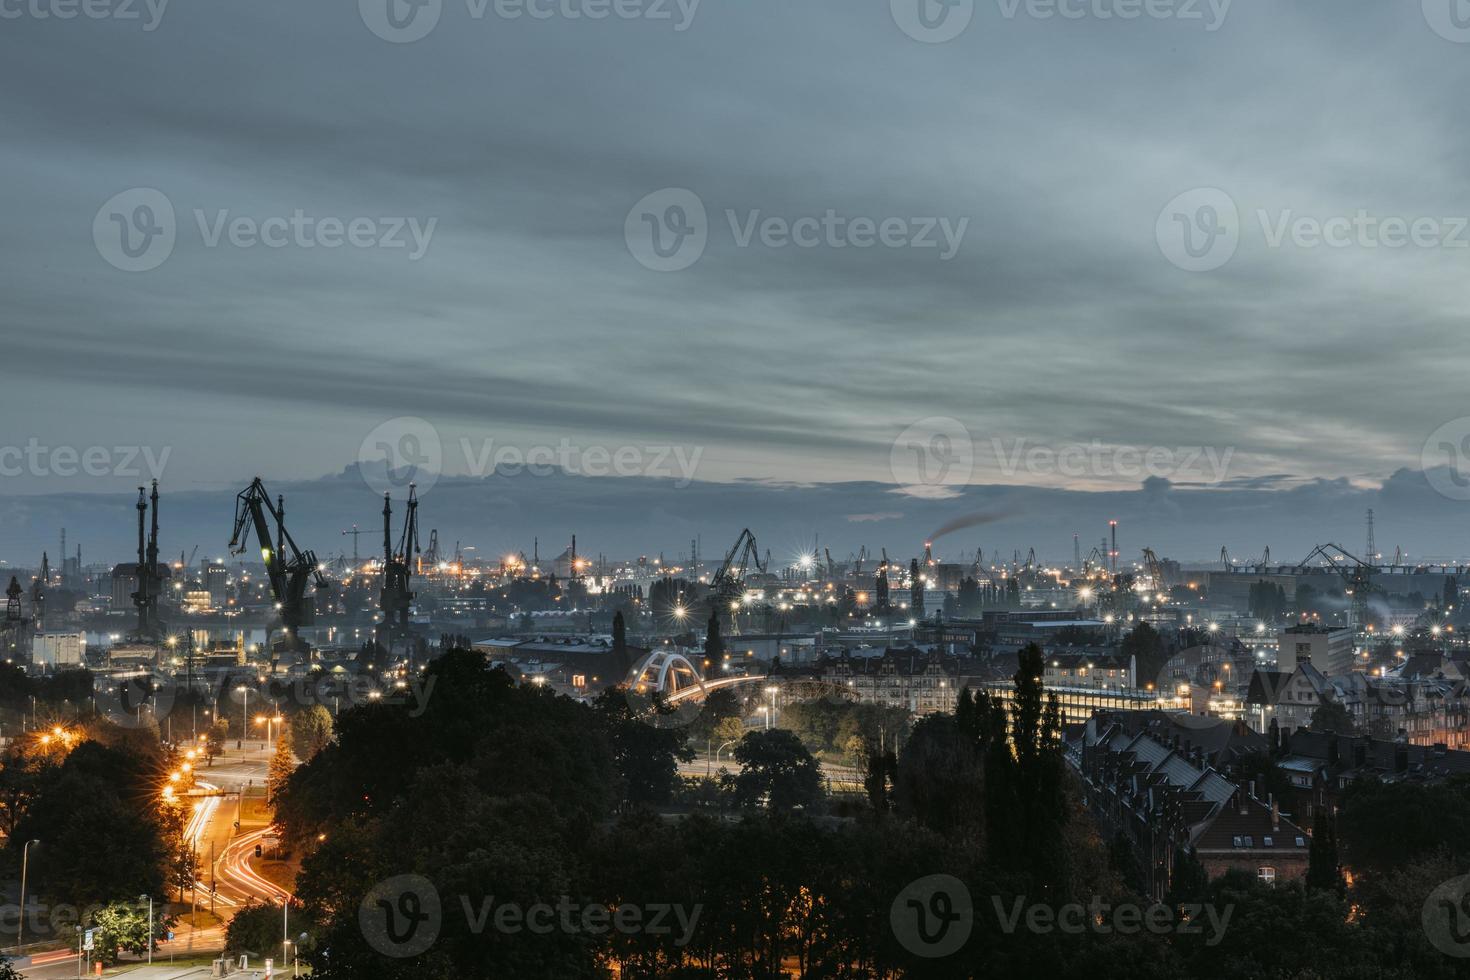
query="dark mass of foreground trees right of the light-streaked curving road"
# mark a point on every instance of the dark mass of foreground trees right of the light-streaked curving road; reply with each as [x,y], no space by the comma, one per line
[456,825]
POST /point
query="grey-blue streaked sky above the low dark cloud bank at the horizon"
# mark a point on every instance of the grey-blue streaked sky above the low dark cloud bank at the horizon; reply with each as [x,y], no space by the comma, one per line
[925,248]
